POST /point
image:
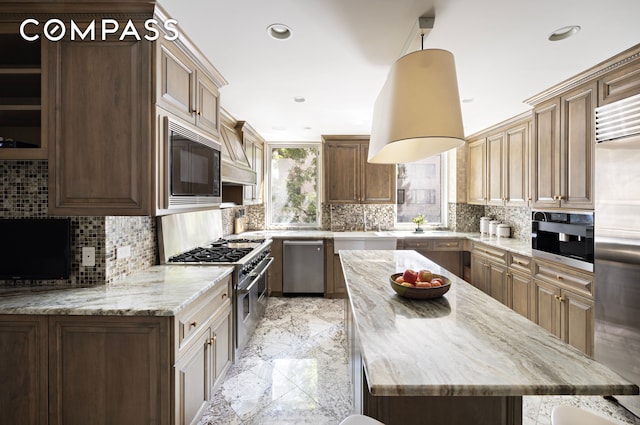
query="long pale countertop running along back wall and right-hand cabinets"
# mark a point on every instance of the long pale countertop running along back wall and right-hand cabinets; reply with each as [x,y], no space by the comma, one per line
[518,246]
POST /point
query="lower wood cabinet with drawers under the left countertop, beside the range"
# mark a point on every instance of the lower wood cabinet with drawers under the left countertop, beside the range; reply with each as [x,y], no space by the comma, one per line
[66,370]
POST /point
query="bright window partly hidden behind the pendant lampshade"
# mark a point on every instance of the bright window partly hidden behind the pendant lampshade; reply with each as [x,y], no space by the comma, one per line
[421,190]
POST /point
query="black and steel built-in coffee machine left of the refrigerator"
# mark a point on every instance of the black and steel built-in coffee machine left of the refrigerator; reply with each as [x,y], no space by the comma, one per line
[564,237]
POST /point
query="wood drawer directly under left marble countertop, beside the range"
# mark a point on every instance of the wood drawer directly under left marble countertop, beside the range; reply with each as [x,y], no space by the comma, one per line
[196,315]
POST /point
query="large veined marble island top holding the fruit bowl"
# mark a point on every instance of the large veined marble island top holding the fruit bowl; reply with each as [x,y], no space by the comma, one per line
[463,344]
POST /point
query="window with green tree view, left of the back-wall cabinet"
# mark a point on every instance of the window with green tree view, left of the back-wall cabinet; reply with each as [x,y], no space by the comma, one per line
[294,186]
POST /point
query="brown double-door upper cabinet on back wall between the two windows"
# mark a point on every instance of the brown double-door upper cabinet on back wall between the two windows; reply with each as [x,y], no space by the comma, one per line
[350,179]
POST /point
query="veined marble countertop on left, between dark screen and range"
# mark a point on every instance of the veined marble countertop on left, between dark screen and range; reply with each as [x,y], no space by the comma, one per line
[156,291]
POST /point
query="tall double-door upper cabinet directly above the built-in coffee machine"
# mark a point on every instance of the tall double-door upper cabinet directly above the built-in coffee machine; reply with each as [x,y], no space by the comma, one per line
[562,151]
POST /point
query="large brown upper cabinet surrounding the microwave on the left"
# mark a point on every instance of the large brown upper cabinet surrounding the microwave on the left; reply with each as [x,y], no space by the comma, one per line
[106,127]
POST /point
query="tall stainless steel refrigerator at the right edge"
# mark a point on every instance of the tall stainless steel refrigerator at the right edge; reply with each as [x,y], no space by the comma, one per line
[617,245]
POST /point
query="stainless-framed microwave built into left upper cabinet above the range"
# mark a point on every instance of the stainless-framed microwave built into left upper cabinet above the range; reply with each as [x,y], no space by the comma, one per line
[191,168]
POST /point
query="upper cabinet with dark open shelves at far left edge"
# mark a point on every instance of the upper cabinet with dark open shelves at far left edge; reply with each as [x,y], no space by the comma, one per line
[23,91]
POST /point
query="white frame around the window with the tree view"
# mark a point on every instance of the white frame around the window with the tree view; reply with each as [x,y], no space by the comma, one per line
[269,205]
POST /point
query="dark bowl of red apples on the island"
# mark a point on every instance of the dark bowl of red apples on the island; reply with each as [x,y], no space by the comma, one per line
[419,285]
